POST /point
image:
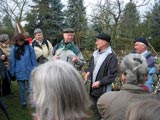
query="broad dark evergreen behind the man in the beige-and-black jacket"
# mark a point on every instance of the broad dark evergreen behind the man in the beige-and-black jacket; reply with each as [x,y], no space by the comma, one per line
[47,15]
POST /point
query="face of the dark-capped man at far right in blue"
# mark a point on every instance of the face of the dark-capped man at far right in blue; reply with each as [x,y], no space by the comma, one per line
[139,47]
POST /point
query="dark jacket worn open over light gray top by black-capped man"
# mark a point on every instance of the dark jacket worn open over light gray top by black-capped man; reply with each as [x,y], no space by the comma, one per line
[106,74]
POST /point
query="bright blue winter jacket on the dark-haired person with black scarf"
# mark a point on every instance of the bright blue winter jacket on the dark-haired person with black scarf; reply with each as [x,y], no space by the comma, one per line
[23,67]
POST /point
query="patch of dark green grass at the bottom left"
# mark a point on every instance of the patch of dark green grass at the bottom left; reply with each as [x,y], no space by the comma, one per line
[16,112]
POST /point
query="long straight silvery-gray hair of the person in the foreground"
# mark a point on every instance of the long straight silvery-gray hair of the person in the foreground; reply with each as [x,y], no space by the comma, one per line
[59,92]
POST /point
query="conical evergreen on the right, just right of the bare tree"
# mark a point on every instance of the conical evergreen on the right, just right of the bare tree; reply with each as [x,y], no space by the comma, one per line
[129,21]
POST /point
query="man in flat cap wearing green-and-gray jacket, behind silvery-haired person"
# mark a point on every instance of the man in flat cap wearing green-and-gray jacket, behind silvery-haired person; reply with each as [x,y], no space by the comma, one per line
[66,50]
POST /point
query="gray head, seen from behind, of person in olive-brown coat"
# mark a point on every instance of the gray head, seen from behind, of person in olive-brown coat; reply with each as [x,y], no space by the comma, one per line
[135,67]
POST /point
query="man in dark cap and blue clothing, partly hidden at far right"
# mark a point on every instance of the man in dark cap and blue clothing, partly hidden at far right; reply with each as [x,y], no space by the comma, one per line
[140,46]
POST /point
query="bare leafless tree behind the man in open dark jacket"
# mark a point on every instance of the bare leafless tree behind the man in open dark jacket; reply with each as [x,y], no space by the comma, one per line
[107,14]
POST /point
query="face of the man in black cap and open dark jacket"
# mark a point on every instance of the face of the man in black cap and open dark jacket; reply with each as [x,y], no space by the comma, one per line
[101,44]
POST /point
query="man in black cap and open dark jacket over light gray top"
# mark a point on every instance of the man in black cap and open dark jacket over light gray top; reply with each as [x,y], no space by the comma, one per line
[102,69]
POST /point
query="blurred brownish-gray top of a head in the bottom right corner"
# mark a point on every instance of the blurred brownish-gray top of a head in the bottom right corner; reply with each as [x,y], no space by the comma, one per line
[148,109]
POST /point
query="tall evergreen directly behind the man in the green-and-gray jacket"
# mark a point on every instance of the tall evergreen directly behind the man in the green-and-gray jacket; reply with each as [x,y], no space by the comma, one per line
[76,19]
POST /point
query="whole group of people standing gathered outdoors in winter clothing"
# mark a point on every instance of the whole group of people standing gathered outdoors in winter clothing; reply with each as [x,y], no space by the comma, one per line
[57,88]
